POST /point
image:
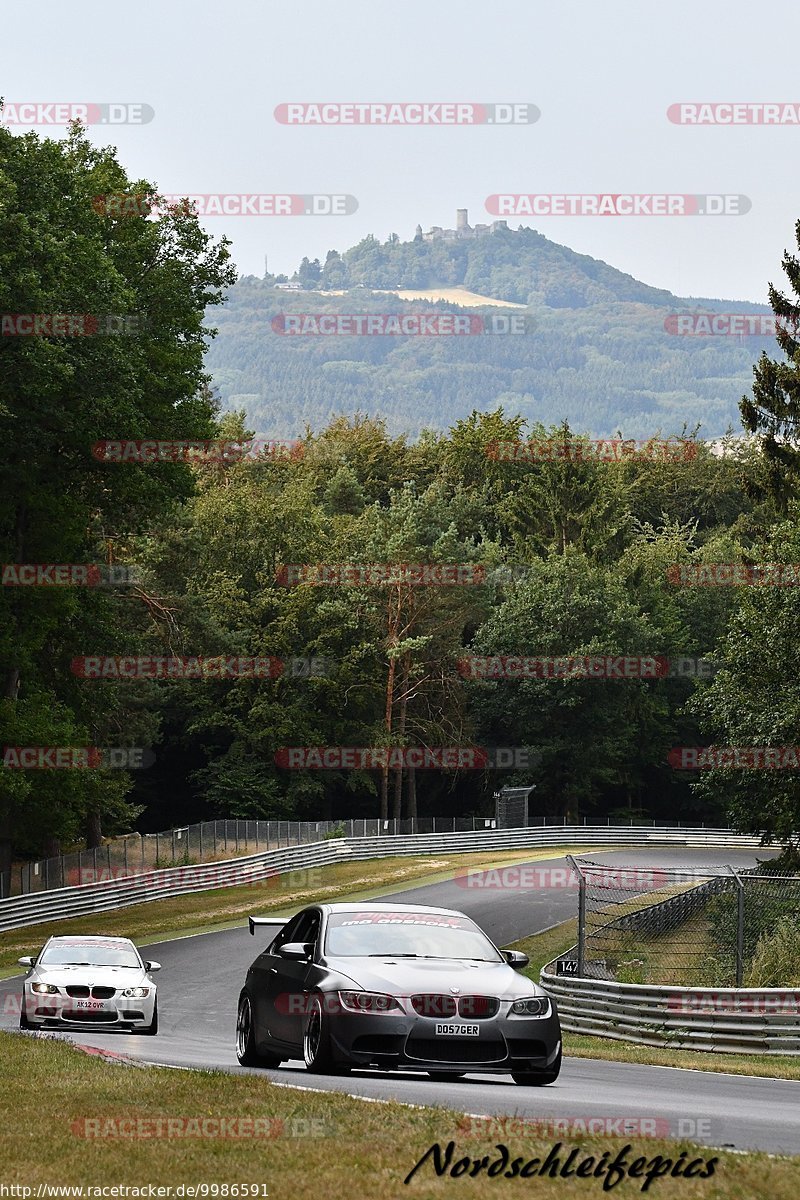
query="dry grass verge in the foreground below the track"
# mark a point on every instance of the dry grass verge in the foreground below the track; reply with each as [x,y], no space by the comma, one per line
[309,1142]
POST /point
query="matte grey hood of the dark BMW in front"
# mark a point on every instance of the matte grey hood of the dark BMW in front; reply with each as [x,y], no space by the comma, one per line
[410,976]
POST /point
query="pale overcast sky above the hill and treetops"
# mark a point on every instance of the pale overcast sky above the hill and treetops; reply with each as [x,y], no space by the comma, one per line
[603,77]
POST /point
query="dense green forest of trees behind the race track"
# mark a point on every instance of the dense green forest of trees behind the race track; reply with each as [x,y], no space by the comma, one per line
[579,560]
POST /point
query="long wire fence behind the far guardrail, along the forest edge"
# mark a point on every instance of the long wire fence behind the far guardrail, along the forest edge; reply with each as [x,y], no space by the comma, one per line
[215,841]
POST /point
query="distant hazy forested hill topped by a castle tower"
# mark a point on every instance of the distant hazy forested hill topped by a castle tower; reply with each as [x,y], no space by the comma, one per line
[597,347]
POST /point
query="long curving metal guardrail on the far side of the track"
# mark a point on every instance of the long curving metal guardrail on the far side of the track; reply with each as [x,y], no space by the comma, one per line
[17,913]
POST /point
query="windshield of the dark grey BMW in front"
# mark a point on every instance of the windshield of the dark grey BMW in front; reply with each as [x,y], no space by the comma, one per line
[408,935]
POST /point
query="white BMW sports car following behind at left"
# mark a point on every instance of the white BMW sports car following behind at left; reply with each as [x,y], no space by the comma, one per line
[99,982]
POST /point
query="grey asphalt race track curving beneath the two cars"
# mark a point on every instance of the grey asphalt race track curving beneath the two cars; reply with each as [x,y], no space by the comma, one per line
[203,975]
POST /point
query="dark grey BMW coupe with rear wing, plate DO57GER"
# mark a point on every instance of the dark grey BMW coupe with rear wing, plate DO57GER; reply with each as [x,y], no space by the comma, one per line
[394,986]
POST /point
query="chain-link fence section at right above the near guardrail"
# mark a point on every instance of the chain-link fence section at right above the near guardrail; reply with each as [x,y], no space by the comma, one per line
[709,928]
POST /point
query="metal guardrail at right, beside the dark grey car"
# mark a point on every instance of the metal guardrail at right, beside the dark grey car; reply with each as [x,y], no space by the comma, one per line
[729,1021]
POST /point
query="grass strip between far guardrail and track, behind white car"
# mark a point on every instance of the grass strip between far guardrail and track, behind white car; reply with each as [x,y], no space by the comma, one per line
[181,916]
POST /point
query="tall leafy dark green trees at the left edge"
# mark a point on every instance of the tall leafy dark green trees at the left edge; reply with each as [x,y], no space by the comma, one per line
[58,397]
